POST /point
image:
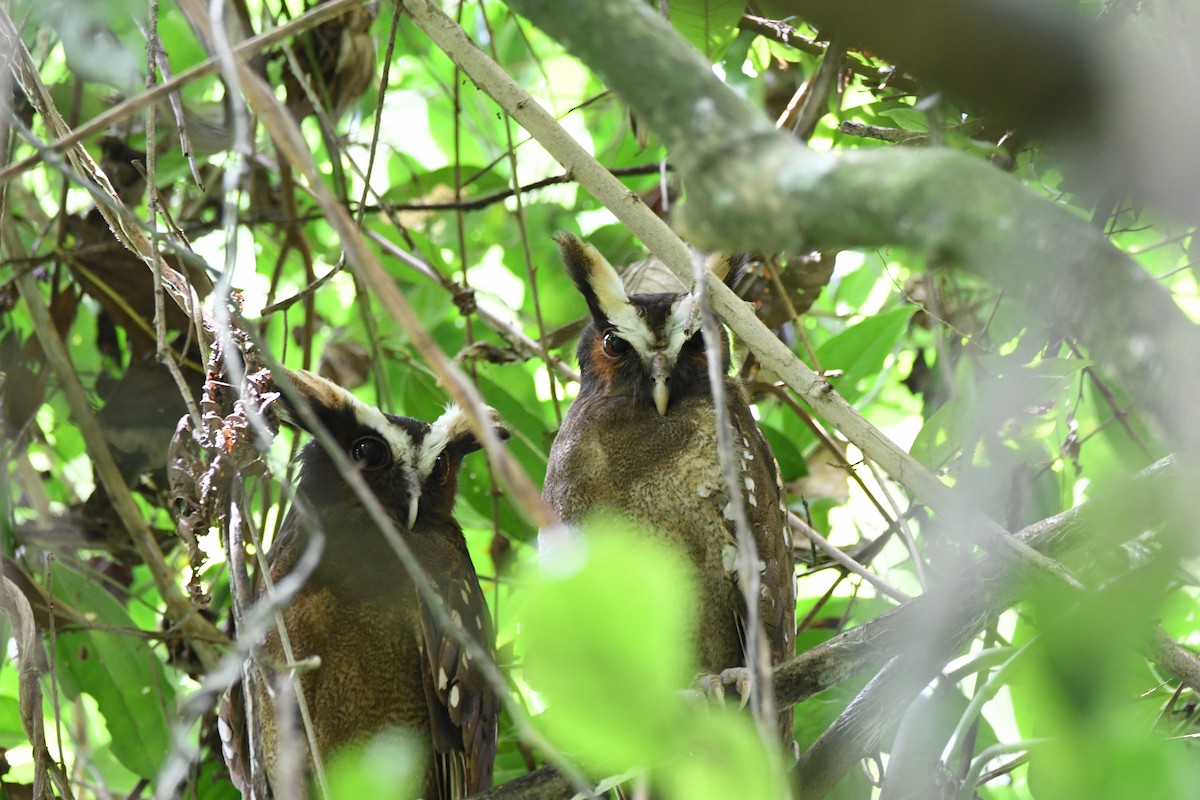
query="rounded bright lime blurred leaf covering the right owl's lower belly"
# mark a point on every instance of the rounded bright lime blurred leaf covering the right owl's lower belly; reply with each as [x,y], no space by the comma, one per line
[617,621]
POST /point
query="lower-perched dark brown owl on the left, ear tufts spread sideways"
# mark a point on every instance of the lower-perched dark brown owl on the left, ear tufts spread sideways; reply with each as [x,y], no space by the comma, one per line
[386,660]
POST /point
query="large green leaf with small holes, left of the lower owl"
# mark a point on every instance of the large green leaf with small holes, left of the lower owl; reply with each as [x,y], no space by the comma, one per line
[122,672]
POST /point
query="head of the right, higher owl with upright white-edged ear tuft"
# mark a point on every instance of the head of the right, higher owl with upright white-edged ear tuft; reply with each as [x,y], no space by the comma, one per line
[647,347]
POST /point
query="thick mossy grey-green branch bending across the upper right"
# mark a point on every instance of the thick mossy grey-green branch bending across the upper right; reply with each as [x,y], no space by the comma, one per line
[751,188]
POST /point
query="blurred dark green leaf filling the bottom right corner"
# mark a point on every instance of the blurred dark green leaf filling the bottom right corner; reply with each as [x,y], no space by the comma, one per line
[1087,690]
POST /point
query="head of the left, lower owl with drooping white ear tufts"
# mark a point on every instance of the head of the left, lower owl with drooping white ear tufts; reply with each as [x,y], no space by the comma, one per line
[411,466]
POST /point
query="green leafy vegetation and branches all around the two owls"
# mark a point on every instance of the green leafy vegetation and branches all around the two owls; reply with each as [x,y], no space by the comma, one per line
[981,352]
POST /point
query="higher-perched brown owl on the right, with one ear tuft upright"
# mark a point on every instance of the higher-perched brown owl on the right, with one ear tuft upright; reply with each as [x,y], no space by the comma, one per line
[640,440]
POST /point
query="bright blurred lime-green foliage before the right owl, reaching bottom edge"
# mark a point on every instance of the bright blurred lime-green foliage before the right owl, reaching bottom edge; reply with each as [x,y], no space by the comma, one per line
[598,619]
